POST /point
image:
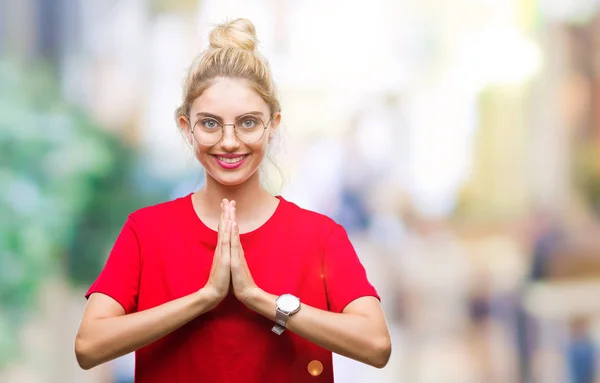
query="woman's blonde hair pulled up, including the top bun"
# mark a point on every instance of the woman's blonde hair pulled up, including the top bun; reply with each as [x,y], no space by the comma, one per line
[231,54]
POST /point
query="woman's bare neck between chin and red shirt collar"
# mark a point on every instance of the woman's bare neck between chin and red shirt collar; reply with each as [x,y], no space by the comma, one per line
[249,196]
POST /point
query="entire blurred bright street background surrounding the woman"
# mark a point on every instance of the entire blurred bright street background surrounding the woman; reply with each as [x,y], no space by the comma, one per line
[457,141]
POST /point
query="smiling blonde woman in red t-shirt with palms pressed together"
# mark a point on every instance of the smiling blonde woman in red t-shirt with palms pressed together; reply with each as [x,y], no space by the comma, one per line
[204,287]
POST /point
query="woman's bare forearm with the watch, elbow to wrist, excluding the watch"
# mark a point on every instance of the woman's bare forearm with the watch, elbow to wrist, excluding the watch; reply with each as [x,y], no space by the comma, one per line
[350,335]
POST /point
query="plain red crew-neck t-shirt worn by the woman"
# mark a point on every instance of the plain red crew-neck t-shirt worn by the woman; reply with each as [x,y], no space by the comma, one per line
[165,252]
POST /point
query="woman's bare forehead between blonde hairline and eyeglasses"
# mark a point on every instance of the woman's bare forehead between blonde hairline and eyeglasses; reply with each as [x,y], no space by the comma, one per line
[228,97]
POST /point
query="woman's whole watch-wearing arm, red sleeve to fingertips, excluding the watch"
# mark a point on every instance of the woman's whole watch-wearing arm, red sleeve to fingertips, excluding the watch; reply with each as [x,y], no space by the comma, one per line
[356,328]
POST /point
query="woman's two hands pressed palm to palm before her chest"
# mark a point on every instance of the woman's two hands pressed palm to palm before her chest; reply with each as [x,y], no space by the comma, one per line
[229,268]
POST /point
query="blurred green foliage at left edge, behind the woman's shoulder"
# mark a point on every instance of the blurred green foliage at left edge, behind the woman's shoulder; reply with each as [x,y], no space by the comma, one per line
[67,187]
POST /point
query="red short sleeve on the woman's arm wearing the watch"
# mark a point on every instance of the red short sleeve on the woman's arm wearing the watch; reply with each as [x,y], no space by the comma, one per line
[345,276]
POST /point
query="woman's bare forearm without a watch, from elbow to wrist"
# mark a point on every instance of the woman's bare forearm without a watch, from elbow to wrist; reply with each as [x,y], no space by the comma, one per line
[105,339]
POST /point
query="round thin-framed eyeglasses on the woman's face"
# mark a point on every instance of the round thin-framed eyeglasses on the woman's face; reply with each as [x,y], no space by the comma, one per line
[249,129]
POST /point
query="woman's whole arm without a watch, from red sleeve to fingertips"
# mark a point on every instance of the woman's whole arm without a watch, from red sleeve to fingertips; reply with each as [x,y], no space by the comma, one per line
[106,332]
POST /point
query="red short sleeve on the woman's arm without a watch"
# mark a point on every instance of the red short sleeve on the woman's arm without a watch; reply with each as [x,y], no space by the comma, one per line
[119,279]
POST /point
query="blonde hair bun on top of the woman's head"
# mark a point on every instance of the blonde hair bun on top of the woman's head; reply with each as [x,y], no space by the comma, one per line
[238,33]
